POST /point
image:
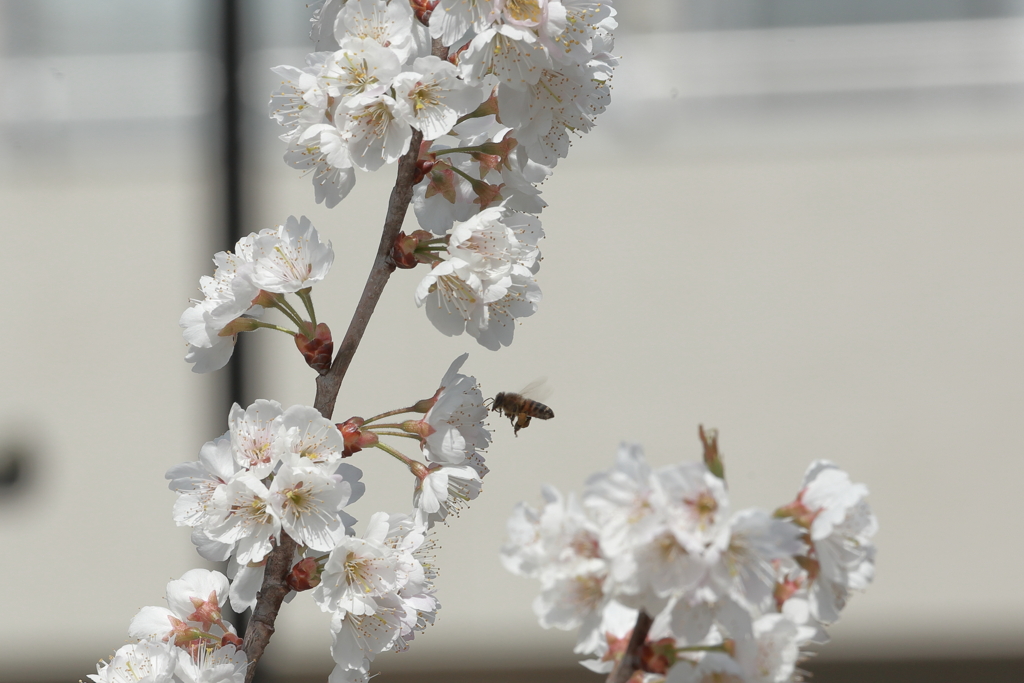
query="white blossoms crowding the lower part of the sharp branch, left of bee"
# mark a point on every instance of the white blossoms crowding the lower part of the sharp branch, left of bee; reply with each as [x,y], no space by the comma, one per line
[279,473]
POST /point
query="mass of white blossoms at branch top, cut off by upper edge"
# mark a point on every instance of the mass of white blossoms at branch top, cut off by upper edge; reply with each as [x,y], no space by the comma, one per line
[494,89]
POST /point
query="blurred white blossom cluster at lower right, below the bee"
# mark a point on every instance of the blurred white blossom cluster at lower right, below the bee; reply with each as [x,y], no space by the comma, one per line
[732,596]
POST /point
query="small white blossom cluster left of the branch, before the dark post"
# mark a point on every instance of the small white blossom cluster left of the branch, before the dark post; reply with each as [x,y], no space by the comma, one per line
[266,267]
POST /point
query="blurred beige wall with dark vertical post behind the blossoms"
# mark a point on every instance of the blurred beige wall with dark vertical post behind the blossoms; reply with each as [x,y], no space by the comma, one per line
[800,223]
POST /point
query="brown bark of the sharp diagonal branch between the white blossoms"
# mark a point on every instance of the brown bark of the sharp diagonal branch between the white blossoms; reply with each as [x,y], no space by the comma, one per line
[279,563]
